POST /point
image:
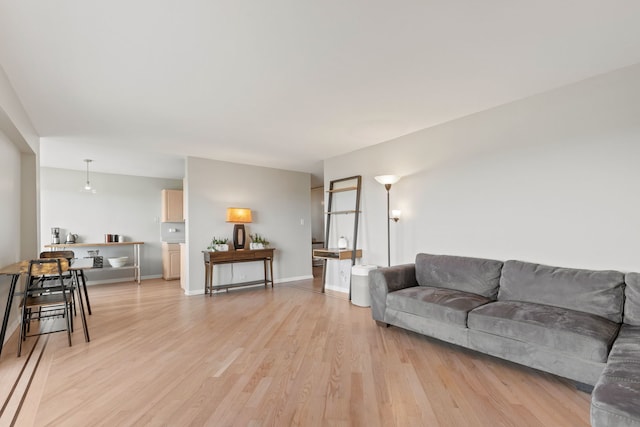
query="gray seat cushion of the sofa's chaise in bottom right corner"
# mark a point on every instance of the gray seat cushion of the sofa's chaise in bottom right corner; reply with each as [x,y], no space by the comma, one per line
[616,397]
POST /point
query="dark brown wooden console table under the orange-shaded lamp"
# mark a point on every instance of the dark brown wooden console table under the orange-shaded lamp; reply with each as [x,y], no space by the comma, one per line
[230,257]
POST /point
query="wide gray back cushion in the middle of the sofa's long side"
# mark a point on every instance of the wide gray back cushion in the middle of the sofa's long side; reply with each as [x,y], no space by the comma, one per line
[596,292]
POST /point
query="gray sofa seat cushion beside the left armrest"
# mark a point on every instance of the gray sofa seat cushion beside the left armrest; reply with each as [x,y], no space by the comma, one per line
[443,305]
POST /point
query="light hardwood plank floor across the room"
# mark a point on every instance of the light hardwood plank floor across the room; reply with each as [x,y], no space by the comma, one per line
[253,357]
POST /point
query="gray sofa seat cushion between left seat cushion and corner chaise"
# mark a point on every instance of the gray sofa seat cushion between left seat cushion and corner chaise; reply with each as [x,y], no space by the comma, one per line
[582,335]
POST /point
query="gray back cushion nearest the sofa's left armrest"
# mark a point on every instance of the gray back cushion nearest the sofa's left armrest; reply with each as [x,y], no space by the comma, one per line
[476,275]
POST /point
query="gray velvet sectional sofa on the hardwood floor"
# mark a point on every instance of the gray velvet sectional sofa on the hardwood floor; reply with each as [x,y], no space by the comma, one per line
[579,324]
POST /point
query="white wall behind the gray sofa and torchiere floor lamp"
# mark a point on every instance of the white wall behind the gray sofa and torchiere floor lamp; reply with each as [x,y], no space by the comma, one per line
[551,179]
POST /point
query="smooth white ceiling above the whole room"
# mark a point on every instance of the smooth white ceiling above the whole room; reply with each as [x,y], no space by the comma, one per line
[137,85]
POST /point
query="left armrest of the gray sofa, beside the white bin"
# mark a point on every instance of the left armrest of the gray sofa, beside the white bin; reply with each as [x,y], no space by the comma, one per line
[389,279]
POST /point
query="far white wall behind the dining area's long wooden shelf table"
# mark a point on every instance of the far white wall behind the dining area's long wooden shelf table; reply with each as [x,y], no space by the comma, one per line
[123,204]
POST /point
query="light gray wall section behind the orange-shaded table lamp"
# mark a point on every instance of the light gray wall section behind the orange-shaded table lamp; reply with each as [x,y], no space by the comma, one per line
[279,201]
